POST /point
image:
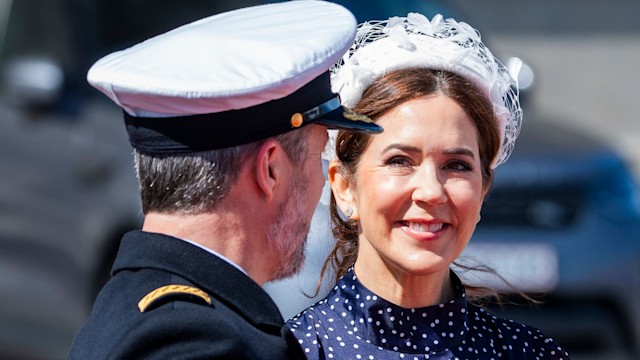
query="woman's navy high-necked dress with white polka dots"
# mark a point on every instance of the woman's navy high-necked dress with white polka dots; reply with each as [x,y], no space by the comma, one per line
[354,323]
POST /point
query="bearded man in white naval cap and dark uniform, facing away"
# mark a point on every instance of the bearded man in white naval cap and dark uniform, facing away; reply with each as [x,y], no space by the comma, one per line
[228,117]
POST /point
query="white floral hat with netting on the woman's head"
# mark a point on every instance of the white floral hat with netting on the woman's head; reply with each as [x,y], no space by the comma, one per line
[440,44]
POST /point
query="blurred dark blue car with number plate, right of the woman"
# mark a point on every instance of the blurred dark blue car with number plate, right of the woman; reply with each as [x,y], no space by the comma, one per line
[563,220]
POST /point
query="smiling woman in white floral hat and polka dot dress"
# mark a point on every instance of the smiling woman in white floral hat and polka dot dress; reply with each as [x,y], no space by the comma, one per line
[406,202]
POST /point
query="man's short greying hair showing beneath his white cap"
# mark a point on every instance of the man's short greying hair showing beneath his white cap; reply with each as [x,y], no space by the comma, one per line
[195,183]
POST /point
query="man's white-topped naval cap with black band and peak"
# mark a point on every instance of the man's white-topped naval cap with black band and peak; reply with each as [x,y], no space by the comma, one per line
[232,78]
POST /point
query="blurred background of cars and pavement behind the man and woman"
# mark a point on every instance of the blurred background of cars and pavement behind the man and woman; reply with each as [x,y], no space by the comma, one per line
[561,223]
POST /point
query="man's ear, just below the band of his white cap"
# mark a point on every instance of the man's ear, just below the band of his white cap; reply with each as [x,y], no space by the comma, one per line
[270,163]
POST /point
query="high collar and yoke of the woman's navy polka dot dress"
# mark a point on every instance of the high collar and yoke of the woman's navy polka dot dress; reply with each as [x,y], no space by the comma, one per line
[389,326]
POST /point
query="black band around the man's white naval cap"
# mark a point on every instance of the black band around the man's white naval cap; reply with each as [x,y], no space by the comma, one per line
[184,134]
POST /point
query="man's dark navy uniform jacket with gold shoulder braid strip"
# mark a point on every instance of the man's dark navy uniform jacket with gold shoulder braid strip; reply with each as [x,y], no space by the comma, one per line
[169,299]
